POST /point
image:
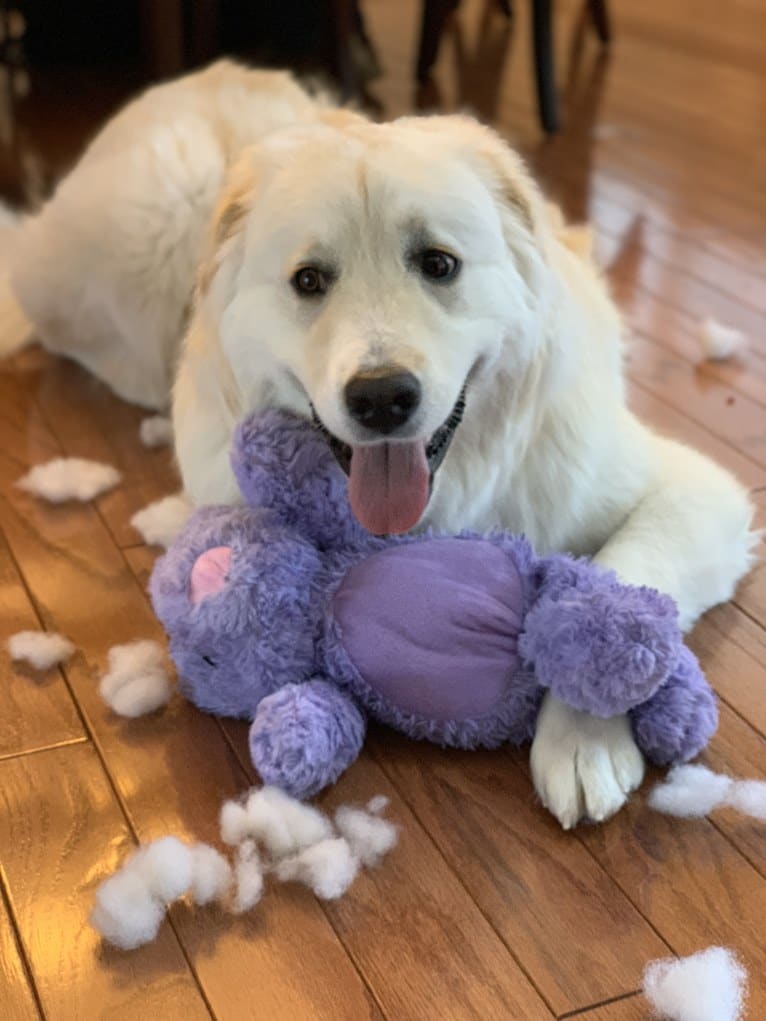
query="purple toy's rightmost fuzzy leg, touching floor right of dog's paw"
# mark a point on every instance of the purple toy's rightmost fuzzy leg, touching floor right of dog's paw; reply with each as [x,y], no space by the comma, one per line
[680,719]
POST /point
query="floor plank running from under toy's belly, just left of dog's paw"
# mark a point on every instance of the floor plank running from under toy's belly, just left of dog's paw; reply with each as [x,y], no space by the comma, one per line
[579,932]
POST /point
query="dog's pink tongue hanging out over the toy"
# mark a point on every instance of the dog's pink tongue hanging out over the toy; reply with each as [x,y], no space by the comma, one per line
[389,487]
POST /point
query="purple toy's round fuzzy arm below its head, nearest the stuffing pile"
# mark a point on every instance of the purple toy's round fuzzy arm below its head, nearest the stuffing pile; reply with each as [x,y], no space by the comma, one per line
[305,737]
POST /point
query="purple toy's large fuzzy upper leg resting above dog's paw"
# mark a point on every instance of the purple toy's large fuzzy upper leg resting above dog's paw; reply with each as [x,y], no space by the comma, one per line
[599,646]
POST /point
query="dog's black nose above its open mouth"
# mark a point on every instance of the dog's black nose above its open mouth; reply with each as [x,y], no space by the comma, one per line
[382,400]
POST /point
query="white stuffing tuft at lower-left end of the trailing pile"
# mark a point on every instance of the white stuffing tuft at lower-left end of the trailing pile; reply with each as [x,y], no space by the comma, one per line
[125,912]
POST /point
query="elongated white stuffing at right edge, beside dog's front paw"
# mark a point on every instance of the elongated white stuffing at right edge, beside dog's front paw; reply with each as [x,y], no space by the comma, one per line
[691,792]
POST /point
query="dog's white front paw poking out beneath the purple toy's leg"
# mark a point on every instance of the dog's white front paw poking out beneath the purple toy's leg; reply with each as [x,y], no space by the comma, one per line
[584,767]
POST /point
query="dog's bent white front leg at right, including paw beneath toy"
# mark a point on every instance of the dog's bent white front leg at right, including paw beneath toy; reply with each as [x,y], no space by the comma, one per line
[690,537]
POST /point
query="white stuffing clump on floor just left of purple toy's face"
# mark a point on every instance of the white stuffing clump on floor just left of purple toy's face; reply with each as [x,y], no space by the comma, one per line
[137,683]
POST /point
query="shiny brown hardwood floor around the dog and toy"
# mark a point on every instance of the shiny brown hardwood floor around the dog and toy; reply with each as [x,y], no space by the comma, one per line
[487,909]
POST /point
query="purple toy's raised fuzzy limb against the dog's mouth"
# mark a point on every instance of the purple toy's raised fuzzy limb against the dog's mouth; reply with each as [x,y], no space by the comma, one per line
[283,463]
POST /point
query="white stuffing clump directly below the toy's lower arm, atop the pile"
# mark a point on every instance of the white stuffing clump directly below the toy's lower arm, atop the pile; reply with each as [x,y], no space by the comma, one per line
[281,823]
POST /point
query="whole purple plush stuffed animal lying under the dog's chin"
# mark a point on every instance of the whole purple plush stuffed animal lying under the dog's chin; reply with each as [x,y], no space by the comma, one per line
[285,612]
